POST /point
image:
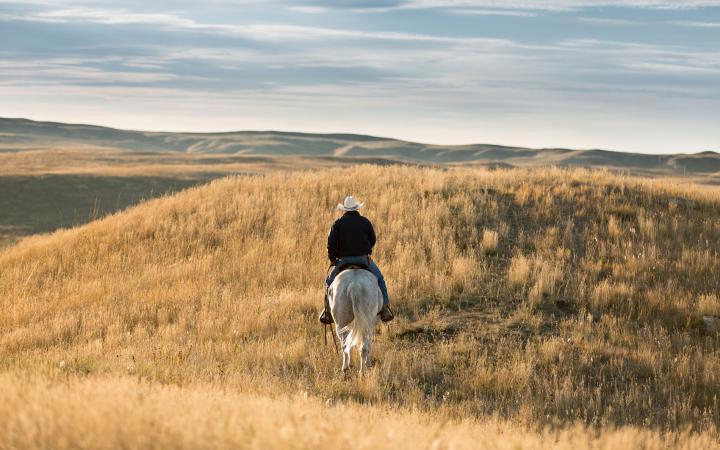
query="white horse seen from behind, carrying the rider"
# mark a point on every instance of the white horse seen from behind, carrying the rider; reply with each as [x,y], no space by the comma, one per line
[355,301]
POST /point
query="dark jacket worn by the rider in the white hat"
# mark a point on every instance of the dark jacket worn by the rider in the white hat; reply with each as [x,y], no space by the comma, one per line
[350,235]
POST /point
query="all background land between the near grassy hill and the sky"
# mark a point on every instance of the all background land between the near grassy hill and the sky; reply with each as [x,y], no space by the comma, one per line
[55,175]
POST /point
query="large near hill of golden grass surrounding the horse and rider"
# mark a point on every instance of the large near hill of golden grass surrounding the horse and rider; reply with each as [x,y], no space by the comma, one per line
[530,298]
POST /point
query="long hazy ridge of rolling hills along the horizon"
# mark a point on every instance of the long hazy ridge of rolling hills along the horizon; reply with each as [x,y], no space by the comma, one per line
[18,134]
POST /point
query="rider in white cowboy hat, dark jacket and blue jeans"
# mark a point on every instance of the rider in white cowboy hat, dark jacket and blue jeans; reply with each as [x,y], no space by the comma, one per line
[350,241]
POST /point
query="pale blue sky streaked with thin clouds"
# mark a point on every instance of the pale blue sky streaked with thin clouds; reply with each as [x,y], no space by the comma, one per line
[627,75]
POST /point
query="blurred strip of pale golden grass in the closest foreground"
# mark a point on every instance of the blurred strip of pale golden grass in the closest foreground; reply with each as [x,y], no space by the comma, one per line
[109,413]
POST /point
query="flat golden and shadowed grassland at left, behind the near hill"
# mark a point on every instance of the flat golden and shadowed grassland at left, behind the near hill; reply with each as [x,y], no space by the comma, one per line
[42,190]
